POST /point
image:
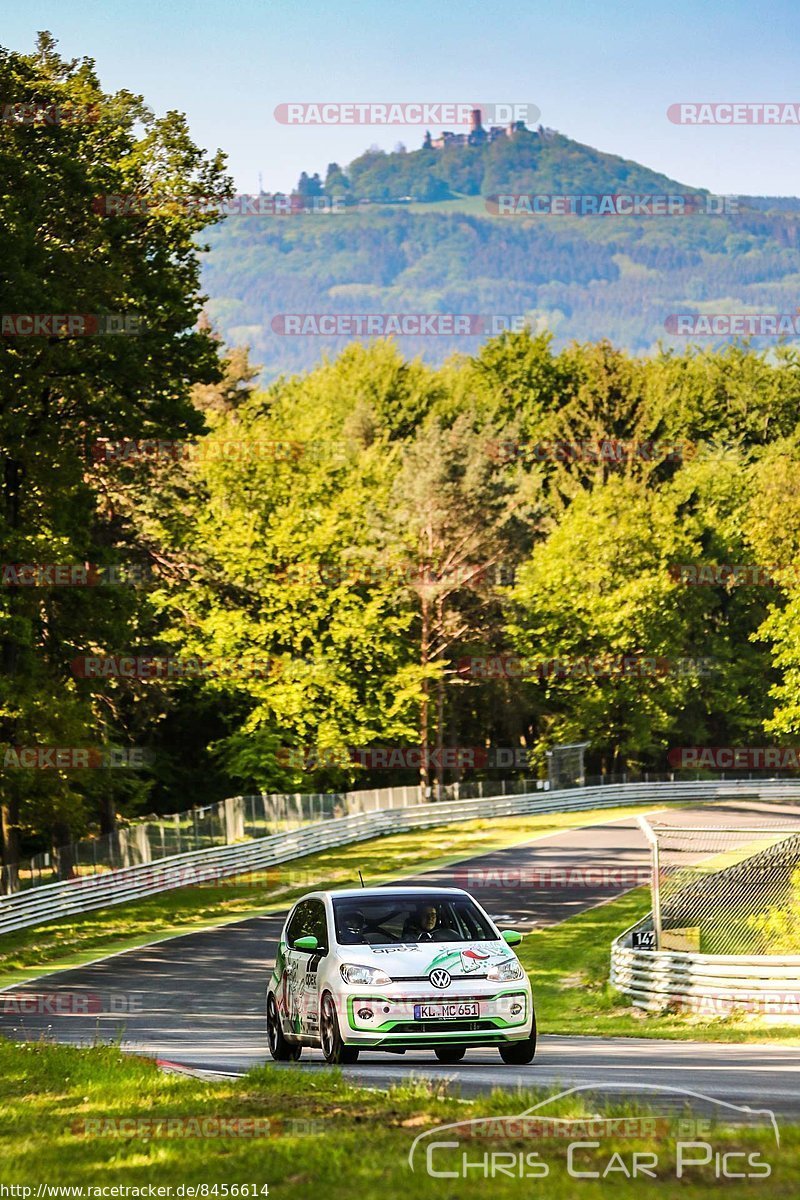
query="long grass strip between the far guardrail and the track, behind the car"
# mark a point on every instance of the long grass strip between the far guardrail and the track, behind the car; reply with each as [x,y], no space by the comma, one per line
[74,941]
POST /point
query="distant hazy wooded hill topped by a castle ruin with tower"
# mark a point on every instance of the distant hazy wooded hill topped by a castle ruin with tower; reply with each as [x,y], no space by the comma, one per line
[448,253]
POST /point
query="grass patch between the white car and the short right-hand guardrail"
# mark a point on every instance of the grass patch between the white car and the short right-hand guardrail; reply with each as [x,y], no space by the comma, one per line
[569,969]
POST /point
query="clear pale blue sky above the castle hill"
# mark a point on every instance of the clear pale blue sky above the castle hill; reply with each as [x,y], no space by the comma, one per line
[601,74]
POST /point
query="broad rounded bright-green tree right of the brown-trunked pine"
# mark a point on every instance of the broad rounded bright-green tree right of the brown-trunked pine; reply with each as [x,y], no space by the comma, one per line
[618,650]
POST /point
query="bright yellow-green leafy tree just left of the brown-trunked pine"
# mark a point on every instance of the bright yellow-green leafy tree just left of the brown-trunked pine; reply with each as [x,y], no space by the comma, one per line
[296,574]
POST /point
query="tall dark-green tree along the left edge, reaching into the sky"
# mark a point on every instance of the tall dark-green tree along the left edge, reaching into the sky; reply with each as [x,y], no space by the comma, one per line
[64,255]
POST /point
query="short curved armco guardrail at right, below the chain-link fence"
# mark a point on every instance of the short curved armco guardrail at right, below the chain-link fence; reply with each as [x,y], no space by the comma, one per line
[714,985]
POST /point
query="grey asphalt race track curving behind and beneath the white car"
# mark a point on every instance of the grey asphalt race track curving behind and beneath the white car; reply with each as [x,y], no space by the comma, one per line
[197,1000]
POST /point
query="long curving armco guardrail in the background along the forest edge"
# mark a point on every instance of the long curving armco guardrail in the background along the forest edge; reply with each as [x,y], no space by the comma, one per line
[85,895]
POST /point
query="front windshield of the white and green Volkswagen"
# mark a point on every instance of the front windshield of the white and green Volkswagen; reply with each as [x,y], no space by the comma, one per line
[381,921]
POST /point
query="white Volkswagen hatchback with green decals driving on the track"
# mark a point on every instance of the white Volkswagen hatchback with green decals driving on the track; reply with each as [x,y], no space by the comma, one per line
[398,969]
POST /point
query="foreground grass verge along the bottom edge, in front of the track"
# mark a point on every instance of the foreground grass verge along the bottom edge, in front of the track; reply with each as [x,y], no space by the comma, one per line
[329,1138]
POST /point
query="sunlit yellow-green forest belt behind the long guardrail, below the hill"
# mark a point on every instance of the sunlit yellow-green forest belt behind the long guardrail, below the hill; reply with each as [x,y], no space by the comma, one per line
[348,563]
